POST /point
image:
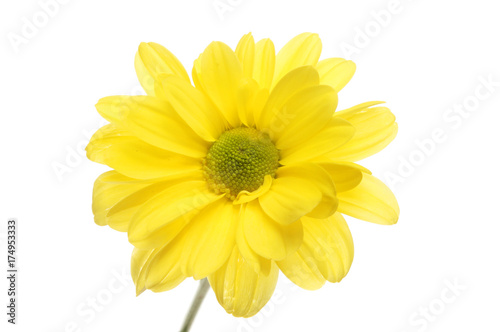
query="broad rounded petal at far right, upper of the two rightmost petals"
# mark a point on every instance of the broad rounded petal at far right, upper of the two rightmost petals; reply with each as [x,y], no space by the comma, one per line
[375,129]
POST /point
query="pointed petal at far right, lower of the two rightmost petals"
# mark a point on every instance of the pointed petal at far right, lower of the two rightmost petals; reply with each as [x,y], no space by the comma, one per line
[371,201]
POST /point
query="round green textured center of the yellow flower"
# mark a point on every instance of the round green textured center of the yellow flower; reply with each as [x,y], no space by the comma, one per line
[239,160]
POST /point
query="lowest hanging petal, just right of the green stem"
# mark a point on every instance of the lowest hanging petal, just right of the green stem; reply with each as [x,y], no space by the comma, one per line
[239,289]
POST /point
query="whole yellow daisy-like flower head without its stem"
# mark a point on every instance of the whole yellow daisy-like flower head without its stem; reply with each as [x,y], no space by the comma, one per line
[246,173]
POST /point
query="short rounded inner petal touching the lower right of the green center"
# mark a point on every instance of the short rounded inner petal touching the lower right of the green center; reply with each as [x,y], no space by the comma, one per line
[290,198]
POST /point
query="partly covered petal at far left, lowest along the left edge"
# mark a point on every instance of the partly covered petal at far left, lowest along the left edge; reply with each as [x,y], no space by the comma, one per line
[109,189]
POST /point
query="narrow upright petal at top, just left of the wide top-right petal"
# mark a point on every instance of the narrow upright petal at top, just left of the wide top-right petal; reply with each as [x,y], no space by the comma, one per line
[264,61]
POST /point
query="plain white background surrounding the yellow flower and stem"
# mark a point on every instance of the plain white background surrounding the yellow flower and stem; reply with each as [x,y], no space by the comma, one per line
[426,59]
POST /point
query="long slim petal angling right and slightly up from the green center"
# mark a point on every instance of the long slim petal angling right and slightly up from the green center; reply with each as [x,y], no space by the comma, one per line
[336,133]
